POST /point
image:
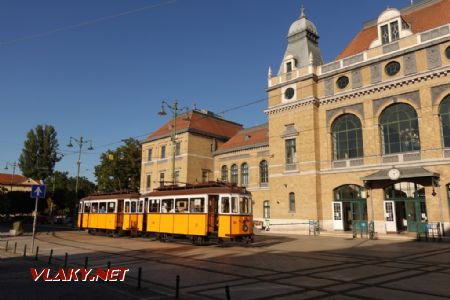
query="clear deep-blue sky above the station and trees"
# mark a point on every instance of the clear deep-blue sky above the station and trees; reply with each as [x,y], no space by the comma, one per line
[105,80]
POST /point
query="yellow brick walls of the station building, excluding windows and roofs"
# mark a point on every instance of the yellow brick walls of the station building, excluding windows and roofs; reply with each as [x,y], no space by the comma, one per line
[303,188]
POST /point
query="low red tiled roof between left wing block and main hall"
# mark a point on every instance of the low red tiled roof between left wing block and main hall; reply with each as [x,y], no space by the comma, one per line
[246,138]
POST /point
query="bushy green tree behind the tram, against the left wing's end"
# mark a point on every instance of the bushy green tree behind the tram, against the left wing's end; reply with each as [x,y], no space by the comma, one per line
[120,169]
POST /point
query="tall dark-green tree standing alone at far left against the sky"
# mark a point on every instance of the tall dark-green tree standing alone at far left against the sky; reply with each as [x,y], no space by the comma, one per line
[40,152]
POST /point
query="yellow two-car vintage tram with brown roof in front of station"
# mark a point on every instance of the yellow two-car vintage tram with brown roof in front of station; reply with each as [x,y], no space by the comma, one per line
[201,212]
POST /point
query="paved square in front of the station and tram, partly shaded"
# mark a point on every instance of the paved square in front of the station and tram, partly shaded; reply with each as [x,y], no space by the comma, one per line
[274,267]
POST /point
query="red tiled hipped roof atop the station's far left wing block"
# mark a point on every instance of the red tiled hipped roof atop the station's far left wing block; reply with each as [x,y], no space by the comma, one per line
[199,122]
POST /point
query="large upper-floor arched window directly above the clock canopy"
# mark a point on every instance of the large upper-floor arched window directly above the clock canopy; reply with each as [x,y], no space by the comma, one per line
[399,129]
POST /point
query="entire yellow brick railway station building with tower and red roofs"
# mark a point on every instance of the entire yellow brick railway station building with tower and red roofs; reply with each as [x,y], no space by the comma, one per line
[364,138]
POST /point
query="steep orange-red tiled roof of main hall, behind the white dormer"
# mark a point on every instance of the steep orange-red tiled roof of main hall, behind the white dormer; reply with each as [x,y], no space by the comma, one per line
[420,19]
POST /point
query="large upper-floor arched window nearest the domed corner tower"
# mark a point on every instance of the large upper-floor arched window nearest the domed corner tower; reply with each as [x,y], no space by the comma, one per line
[347,137]
